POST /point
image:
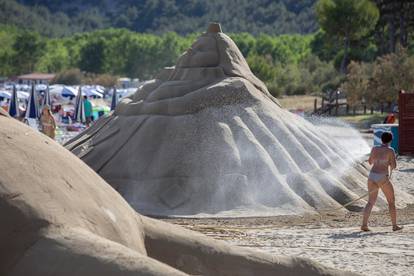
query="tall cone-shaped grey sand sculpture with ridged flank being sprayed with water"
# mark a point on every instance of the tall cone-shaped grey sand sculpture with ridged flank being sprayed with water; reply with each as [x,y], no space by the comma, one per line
[206,137]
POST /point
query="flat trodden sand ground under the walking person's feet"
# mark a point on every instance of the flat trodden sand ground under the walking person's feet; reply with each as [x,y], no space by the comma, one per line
[332,239]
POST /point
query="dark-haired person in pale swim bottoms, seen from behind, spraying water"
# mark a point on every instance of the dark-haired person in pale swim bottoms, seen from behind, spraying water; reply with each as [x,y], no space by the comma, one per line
[381,158]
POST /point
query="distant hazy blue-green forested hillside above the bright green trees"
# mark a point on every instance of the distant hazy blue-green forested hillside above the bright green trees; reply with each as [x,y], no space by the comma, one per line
[160,16]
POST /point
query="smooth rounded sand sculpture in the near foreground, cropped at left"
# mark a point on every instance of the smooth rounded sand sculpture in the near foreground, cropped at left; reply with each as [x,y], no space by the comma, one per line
[58,217]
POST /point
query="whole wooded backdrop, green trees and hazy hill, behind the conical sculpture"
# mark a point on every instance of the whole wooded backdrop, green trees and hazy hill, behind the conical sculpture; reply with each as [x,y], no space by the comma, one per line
[363,47]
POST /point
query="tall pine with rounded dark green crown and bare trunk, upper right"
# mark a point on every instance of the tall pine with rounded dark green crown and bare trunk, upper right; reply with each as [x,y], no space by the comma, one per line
[347,20]
